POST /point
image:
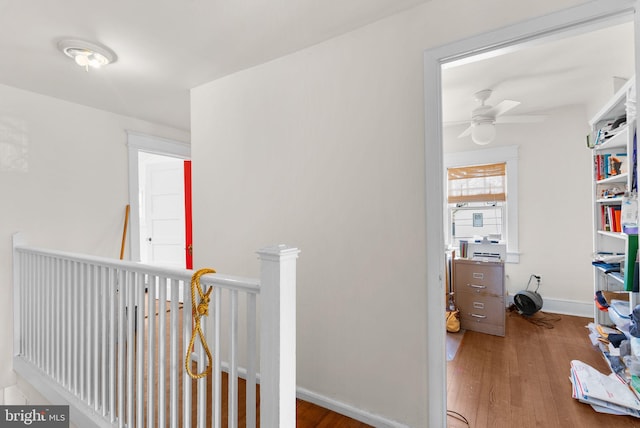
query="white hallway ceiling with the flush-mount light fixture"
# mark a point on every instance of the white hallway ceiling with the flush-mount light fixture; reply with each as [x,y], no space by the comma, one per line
[164,47]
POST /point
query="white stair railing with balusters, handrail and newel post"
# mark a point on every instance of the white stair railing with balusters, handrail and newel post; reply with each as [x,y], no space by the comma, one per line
[109,338]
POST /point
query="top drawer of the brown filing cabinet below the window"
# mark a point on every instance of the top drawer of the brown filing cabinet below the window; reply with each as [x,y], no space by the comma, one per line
[479,277]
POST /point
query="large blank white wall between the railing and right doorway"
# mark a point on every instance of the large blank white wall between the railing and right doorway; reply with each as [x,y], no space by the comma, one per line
[324,149]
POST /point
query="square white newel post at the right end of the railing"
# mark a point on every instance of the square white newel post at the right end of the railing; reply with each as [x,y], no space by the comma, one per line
[278,336]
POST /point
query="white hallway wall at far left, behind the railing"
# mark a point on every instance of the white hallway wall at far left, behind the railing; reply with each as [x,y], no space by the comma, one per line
[71,193]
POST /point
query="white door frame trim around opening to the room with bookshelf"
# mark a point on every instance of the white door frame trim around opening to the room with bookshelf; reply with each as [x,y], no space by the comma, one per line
[530,33]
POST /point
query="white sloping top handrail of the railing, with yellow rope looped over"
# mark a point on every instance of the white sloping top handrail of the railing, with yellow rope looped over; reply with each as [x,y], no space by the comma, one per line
[233,282]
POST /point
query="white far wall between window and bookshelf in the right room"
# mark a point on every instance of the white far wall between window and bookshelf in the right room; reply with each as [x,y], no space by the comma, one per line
[555,212]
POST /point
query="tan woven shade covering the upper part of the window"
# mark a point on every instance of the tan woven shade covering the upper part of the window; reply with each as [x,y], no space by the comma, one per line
[477,183]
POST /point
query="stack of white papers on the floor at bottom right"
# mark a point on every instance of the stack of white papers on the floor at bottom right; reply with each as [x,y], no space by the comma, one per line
[607,394]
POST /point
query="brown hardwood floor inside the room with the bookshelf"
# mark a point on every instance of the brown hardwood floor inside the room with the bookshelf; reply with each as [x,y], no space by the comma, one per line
[522,380]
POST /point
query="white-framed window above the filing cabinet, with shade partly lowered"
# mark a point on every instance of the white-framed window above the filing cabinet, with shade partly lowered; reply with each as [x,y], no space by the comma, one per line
[481,189]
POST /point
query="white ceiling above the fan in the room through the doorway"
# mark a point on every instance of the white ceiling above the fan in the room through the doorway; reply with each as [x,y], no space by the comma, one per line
[545,76]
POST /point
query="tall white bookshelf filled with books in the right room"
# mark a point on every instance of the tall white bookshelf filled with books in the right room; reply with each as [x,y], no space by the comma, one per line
[612,139]
